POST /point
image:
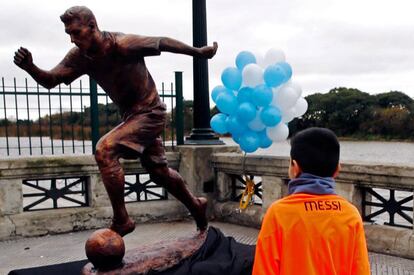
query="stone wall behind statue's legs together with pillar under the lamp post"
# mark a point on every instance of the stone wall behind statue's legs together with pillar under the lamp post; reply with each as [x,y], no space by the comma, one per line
[193,162]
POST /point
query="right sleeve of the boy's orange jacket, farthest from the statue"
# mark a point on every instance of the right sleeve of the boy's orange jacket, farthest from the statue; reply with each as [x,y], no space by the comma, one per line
[361,261]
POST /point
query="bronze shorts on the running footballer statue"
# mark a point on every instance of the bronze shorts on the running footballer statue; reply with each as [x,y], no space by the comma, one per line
[139,135]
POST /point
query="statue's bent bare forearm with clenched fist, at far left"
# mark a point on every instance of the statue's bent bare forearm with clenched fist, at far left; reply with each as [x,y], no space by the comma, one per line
[48,79]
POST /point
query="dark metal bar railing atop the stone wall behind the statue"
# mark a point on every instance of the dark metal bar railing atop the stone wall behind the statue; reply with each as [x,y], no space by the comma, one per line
[70,119]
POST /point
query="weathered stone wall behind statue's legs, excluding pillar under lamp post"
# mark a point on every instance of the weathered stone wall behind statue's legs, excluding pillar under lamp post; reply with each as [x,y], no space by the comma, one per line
[14,222]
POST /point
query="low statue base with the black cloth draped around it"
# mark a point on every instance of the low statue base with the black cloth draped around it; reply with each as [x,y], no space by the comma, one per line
[217,254]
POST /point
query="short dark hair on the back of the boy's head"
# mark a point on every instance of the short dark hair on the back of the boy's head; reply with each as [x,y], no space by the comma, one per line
[316,150]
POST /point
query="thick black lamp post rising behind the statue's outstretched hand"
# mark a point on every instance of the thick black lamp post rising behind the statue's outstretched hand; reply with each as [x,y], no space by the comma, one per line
[201,133]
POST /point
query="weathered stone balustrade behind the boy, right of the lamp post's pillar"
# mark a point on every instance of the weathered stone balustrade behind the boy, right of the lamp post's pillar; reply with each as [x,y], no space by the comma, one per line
[273,171]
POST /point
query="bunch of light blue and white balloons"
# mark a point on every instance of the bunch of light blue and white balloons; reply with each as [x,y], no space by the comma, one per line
[257,101]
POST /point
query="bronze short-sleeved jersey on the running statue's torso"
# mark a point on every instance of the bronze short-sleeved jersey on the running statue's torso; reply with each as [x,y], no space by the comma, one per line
[121,71]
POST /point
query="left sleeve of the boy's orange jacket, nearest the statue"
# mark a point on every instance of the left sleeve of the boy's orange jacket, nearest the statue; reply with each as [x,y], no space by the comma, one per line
[267,260]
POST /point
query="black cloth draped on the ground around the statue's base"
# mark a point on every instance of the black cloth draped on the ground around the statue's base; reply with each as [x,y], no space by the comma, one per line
[219,255]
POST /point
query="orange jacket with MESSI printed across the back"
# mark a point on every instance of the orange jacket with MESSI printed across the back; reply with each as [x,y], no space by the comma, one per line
[312,235]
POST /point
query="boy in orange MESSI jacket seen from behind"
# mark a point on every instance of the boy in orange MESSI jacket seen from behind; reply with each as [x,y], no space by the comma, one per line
[312,230]
